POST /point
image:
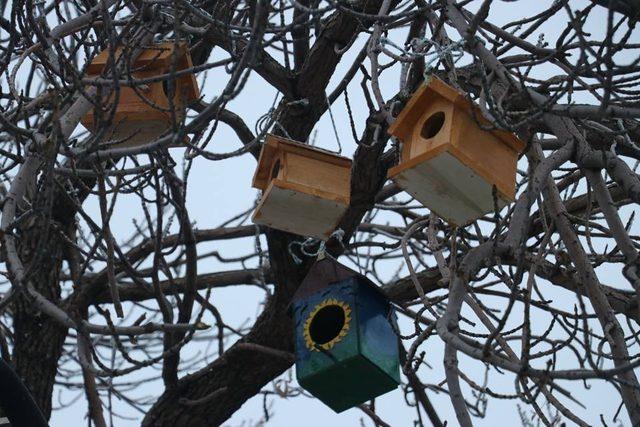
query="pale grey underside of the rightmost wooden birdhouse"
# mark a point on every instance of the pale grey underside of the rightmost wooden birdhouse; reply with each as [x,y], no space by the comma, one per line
[440,180]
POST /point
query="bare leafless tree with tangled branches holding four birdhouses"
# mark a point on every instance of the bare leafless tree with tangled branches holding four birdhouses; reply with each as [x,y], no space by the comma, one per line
[87,302]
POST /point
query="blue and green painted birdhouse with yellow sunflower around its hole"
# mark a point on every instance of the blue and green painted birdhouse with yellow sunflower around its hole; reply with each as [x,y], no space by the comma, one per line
[346,348]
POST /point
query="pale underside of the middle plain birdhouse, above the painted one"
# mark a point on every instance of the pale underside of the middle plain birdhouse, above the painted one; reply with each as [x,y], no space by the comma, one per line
[300,210]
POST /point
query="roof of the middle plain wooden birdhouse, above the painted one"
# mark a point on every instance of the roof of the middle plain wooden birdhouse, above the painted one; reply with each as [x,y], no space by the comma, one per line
[274,145]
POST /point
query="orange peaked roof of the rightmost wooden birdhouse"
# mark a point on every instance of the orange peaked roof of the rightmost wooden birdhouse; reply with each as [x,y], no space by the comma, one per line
[428,93]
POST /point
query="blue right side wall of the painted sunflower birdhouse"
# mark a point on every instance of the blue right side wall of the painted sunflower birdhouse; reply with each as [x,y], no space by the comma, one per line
[378,341]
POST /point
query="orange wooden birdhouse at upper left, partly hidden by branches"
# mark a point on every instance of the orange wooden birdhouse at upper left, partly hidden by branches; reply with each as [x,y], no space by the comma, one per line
[144,111]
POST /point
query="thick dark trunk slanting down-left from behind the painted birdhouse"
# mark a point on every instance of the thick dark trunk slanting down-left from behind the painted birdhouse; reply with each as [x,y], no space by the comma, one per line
[211,395]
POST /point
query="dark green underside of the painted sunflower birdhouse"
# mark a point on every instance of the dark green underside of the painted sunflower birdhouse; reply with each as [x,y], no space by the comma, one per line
[348,383]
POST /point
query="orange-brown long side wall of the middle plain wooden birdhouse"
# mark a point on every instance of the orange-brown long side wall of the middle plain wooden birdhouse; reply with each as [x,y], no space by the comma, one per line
[317,174]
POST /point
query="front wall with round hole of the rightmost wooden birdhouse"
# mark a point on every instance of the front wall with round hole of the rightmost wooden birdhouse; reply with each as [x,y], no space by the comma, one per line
[417,143]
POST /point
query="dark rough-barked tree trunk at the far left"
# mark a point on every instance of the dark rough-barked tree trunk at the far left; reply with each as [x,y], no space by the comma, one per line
[38,339]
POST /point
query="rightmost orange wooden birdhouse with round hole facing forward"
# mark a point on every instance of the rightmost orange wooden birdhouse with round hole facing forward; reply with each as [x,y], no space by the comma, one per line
[448,162]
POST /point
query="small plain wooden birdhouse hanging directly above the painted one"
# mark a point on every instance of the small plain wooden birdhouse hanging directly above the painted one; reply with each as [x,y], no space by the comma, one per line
[305,190]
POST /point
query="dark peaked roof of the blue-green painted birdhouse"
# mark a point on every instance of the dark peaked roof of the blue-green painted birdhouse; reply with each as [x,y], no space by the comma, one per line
[326,272]
